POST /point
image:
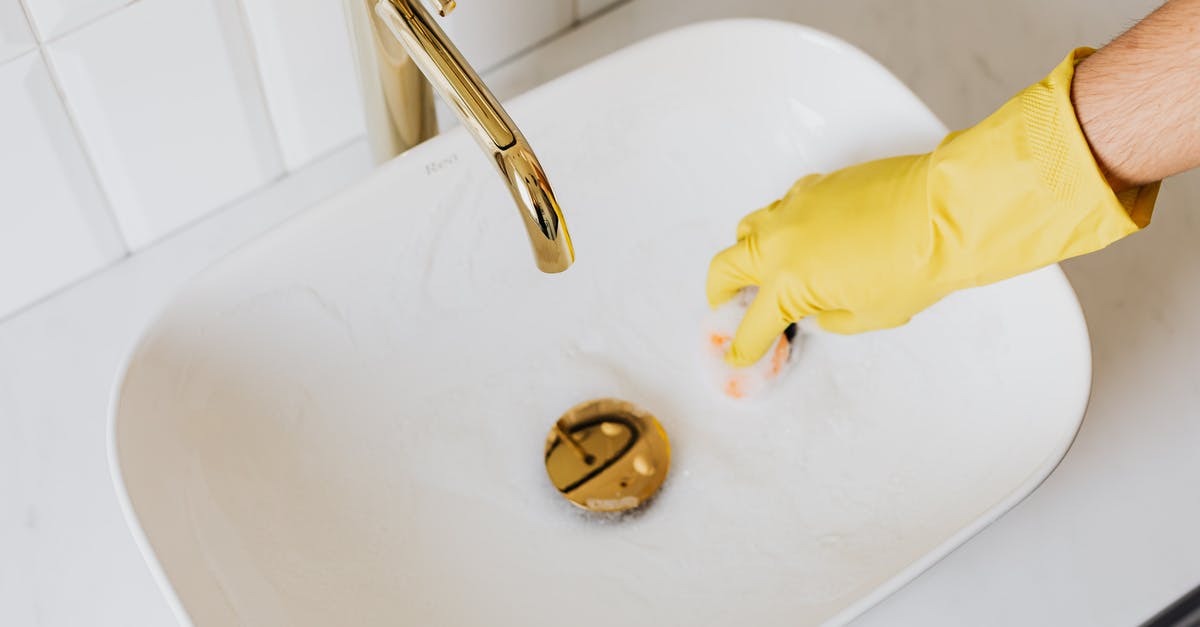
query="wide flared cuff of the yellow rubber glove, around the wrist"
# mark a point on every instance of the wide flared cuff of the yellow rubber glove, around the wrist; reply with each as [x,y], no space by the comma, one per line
[1023,189]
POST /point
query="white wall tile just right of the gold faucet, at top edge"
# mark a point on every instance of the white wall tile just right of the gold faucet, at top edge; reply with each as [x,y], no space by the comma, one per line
[488,32]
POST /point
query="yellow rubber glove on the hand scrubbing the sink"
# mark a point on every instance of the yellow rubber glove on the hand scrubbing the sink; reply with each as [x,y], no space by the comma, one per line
[869,247]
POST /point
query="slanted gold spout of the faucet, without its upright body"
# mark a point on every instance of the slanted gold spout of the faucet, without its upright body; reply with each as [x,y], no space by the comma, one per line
[487,121]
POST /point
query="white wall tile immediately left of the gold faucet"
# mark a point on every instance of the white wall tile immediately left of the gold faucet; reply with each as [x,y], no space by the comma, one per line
[309,76]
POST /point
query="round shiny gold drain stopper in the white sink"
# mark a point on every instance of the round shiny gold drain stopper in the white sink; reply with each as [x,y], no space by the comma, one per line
[608,456]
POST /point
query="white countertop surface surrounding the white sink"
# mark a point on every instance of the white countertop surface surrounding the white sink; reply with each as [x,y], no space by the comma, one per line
[1108,540]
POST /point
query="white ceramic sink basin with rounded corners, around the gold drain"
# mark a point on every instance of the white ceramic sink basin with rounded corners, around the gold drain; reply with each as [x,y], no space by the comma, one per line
[344,423]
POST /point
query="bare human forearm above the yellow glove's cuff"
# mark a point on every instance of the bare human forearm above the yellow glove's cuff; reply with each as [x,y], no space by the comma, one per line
[1138,99]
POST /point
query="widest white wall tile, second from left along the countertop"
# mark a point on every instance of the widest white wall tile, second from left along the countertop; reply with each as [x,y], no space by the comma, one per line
[169,104]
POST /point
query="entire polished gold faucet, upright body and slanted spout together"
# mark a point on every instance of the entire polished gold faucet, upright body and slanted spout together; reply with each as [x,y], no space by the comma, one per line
[397,43]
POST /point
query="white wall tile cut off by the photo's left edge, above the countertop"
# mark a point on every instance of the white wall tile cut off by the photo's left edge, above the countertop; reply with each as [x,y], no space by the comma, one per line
[53,224]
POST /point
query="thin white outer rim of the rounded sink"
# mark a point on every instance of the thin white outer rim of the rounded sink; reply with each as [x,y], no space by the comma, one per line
[902,578]
